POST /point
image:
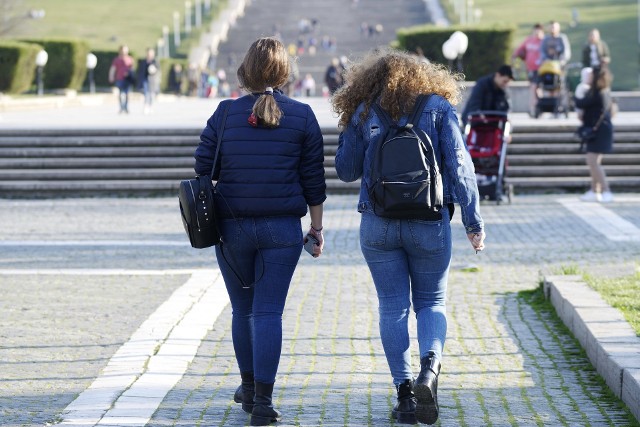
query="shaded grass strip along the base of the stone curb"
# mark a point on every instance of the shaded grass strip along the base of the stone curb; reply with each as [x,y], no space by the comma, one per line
[579,360]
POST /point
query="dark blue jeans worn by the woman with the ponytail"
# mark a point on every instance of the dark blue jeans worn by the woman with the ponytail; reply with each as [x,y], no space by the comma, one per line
[265,250]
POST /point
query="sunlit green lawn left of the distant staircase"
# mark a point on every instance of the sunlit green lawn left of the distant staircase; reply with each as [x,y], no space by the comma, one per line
[105,24]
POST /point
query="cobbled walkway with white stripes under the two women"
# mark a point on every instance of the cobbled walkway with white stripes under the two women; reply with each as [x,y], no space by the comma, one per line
[95,291]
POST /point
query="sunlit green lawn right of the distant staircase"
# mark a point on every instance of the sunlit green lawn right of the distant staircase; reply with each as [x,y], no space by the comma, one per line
[617,21]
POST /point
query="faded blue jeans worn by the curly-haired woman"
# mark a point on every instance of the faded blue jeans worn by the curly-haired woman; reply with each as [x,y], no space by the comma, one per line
[409,262]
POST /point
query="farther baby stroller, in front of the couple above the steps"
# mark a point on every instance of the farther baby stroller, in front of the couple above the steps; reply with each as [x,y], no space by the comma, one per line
[552,90]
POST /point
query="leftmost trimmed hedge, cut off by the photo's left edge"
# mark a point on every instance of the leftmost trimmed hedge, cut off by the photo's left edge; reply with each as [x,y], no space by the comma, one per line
[17,66]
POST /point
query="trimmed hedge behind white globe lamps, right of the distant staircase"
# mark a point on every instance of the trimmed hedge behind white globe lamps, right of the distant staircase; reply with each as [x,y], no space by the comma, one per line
[488,47]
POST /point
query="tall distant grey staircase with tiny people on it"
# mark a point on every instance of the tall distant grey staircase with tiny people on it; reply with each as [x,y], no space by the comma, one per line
[340,19]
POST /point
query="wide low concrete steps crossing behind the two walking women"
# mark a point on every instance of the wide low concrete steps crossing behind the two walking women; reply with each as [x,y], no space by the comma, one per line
[150,161]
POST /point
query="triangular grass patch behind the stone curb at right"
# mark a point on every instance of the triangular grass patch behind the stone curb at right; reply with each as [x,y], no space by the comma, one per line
[622,293]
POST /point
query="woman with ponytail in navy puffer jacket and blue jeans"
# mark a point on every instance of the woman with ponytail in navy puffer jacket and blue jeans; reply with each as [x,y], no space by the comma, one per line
[269,173]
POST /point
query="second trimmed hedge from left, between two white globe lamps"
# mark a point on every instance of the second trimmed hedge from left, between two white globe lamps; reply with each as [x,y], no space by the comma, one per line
[67,64]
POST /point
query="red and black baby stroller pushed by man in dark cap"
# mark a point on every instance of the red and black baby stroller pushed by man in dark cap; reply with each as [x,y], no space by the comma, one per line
[487,133]
